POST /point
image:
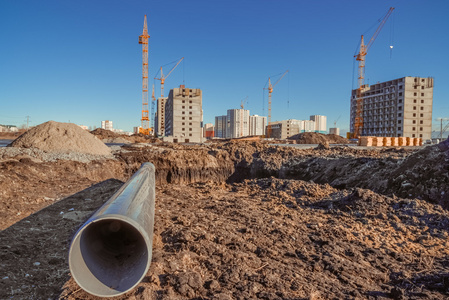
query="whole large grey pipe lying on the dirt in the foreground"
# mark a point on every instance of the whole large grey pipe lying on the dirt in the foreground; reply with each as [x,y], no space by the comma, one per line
[111,253]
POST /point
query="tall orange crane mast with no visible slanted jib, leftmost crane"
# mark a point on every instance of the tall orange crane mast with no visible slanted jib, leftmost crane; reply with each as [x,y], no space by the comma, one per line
[143,39]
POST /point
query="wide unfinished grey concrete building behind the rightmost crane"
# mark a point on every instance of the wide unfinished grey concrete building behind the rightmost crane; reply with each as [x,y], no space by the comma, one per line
[397,108]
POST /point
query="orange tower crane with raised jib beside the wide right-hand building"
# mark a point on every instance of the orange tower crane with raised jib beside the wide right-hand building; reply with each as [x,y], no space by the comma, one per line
[360,57]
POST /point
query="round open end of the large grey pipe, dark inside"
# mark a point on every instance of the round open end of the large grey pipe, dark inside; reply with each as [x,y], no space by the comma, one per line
[109,257]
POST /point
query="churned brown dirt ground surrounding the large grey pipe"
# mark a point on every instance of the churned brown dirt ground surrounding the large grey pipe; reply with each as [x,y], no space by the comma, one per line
[240,220]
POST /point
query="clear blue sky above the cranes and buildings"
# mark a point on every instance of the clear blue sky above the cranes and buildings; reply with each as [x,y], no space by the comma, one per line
[80,61]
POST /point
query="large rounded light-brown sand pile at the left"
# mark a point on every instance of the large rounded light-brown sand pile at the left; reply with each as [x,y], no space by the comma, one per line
[61,137]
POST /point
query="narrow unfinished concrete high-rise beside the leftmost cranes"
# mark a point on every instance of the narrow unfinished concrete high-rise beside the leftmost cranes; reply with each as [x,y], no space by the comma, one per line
[184,115]
